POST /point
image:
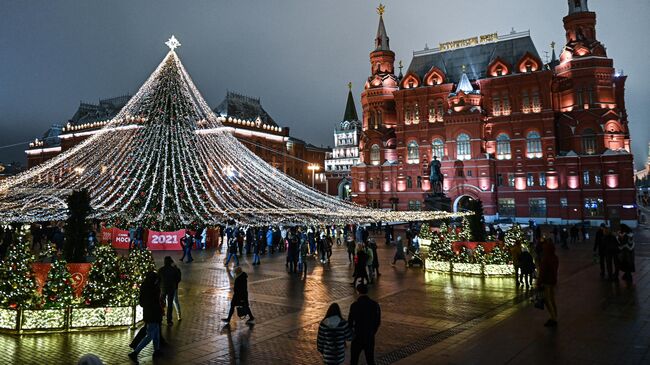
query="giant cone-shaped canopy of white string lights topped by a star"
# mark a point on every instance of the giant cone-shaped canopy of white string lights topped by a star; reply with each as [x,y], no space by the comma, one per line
[167,161]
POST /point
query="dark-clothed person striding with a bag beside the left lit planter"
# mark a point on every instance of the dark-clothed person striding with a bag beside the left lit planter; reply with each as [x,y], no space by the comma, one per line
[149,300]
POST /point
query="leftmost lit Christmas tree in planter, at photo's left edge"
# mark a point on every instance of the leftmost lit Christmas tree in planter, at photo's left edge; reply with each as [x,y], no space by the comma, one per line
[17,283]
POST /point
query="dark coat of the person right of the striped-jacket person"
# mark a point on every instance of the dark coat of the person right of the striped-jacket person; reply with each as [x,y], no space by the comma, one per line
[364,319]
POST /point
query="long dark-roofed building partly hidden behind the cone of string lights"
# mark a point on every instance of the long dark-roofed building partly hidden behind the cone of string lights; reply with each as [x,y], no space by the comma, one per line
[243,115]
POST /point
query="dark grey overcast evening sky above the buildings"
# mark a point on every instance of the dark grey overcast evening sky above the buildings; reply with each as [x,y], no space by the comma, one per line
[296,55]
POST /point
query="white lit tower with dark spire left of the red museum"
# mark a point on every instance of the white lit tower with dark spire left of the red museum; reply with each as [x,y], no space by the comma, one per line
[345,154]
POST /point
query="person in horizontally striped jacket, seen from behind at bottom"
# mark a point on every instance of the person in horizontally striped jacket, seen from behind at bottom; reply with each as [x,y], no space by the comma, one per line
[333,331]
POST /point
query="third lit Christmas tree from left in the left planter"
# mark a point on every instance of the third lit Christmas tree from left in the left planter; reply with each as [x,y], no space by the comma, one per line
[103,279]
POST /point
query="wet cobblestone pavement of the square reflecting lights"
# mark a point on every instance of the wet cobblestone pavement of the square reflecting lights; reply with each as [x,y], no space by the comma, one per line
[426,318]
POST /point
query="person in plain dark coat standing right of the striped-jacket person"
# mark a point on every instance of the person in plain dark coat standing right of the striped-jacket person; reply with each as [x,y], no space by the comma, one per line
[364,320]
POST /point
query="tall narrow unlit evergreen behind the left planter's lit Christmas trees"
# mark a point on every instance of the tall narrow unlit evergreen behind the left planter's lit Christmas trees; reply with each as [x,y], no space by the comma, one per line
[77,227]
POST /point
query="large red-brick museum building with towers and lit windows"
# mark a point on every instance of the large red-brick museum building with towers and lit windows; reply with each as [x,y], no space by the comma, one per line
[547,142]
